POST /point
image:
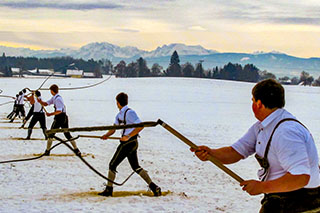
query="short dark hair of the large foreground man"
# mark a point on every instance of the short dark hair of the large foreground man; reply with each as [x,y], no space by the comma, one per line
[270,93]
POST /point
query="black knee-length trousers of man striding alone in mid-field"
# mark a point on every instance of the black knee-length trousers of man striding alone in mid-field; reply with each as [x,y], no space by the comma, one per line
[127,149]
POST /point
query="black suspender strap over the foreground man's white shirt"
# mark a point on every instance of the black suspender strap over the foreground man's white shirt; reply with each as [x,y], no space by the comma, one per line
[263,161]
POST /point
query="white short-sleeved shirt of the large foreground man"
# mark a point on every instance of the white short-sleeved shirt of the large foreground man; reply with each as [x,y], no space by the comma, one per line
[292,147]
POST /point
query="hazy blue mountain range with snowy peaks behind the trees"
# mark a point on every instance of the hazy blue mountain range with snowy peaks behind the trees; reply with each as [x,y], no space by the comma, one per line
[278,63]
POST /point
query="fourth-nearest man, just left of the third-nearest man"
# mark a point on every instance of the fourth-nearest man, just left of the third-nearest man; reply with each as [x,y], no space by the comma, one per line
[38,114]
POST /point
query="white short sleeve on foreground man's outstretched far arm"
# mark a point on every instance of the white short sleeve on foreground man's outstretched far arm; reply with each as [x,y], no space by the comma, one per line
[245,146]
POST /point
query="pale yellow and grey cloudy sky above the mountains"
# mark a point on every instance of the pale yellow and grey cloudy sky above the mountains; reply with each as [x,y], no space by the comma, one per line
[288,26]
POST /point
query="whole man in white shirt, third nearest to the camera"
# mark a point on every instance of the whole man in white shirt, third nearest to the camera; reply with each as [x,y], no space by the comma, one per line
[60,118]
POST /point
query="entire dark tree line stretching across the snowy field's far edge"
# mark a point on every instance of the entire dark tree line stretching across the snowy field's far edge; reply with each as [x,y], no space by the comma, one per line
[139,68]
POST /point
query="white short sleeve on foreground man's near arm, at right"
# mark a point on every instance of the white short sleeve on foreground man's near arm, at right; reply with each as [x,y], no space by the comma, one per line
[289,144]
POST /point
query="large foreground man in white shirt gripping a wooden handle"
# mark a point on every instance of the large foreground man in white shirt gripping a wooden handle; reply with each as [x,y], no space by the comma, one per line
[285,149]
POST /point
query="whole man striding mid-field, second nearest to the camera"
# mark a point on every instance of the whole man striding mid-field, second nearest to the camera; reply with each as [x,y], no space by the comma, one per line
[128,146]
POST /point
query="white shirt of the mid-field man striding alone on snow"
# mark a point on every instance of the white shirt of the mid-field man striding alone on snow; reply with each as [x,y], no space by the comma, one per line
[131,118]
